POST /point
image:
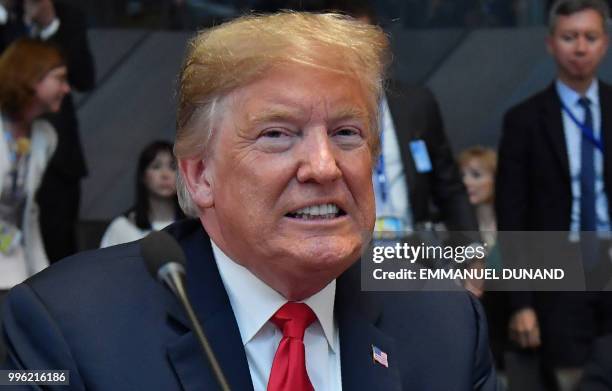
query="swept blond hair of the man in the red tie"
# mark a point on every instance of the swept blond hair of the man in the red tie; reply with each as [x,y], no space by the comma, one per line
[234,54]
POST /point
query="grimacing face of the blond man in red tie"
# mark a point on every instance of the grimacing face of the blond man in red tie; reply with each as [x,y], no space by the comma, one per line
[289,177]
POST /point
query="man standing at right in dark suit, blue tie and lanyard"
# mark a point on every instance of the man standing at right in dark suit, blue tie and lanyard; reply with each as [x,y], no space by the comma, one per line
[555,173]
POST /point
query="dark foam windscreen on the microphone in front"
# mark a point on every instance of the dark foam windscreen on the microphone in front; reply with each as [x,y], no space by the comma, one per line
[159,248]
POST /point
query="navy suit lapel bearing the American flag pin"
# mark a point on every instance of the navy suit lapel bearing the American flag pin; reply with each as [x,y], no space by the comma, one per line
[357,316]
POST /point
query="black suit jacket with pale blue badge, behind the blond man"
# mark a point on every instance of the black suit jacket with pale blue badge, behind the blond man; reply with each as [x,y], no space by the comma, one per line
[416,116]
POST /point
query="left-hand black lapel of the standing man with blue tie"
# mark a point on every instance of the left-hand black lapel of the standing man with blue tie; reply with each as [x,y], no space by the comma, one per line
[553,125]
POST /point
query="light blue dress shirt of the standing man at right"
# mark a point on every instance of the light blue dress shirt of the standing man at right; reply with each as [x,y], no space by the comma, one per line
[573,139]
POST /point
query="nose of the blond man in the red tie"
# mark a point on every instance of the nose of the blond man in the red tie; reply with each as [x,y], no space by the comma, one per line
[318,161]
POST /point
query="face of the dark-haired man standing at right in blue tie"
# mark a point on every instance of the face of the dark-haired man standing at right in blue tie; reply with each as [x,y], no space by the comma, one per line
[578,44]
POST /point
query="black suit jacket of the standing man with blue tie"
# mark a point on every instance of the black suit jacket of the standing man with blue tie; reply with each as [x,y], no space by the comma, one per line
[533,193]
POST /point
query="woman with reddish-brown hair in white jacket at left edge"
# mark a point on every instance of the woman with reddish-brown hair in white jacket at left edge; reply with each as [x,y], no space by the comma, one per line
[32,82]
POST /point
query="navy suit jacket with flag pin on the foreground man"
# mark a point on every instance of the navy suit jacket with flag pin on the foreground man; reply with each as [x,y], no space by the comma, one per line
[101,316]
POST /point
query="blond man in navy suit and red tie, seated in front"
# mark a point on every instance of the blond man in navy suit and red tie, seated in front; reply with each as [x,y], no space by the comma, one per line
[277,135]
